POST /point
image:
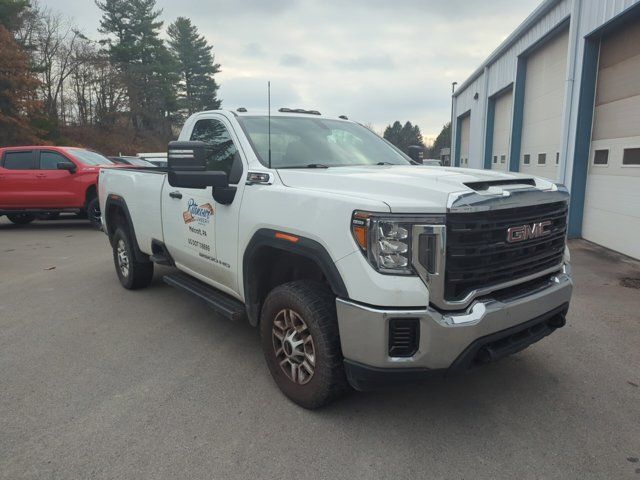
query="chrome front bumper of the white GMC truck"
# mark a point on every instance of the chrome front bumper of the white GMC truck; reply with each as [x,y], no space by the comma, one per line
[450,340]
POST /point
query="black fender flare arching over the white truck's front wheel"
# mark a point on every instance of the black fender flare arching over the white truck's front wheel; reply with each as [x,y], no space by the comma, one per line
[305,247]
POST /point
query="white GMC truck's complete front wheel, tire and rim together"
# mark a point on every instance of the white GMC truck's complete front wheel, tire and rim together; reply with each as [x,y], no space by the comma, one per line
[301,343]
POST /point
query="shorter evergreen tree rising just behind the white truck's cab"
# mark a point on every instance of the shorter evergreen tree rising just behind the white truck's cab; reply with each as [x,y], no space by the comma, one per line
[197,89]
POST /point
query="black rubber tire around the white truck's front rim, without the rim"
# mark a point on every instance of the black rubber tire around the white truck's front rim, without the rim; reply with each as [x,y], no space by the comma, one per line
[314,303]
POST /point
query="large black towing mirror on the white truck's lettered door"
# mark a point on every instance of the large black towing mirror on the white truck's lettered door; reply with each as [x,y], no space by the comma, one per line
[187,166]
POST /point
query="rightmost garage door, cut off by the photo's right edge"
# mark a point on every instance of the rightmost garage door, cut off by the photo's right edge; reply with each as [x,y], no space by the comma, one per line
[612,205]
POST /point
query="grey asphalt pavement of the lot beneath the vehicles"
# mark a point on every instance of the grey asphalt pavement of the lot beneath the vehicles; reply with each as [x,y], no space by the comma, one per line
[97,382]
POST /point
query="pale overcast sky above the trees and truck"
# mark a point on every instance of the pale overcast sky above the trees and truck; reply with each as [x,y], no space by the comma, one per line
[375,61]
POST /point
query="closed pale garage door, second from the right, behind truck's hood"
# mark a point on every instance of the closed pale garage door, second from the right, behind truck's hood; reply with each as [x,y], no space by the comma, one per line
[543,103]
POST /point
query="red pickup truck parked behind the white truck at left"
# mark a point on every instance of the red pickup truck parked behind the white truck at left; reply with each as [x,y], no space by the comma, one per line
[46,181]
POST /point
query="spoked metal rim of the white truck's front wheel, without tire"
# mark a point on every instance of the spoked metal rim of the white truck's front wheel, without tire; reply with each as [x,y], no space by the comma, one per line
[293,346]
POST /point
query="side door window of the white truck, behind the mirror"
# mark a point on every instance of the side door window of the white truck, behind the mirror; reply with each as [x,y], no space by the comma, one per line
[222,150]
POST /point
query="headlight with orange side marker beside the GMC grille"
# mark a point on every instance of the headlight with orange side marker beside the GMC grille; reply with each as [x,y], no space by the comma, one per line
[387,240]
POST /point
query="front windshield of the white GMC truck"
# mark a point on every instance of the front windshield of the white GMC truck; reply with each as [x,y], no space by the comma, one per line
[301,142]
